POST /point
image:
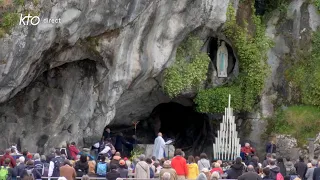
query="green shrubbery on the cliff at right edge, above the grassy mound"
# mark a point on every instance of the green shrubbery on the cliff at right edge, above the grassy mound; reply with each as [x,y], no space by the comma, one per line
[304,75]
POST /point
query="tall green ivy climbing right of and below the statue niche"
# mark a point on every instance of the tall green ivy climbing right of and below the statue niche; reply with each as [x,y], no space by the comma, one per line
[252,53]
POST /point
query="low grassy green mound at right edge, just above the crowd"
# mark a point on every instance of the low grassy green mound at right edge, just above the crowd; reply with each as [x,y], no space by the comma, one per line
[301,122]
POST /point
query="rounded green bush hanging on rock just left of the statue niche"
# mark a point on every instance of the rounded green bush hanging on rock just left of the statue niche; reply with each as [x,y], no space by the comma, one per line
[190,68]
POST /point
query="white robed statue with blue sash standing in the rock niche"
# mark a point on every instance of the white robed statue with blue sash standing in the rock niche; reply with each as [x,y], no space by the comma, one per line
[222,60]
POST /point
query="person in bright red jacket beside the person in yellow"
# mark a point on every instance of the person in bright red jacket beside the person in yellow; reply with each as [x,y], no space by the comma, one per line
[179,163]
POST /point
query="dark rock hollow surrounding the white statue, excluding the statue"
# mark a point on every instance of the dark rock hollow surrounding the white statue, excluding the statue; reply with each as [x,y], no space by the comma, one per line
[212,50]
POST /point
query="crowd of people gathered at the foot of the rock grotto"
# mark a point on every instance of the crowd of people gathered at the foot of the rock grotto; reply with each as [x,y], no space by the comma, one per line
[104,160]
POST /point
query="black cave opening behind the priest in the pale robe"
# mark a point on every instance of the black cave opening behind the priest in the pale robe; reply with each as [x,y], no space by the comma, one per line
[191,131]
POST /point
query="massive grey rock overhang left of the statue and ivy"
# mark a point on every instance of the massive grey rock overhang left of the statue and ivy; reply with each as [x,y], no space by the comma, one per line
[67,81]
